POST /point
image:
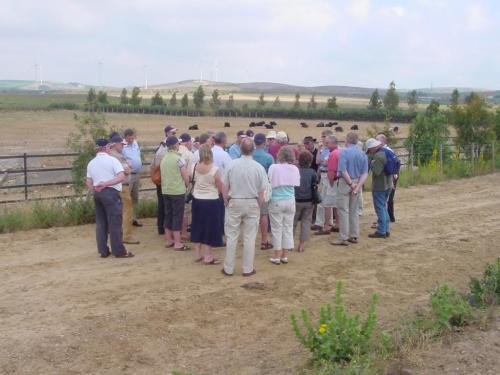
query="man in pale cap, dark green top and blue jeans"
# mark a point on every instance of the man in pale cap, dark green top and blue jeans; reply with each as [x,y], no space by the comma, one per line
[380,166]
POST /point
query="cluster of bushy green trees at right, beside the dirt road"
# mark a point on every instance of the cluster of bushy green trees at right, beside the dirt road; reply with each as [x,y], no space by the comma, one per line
[474,124]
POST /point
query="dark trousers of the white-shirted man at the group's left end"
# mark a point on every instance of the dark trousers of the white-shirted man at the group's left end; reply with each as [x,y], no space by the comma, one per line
[108,219]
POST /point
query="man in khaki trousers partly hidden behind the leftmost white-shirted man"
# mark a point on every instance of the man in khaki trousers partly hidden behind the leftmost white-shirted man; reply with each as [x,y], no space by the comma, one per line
[116,151]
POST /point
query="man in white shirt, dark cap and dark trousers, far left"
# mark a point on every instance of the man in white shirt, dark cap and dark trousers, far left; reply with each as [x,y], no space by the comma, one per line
[105,175]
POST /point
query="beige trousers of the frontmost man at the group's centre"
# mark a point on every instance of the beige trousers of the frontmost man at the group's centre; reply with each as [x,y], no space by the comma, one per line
[241,213]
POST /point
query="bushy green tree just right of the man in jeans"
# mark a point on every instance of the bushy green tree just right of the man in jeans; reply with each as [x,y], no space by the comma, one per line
[427,131]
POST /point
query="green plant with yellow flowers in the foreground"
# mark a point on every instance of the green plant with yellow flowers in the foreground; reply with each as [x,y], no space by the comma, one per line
[337,337]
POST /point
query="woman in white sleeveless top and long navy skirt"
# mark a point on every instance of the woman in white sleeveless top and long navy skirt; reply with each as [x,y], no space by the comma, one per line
[207,212]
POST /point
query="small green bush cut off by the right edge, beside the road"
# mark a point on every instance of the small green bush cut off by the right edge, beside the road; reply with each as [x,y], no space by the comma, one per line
[486,291]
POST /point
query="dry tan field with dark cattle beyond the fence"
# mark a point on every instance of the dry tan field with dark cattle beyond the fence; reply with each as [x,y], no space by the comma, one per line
[47,131]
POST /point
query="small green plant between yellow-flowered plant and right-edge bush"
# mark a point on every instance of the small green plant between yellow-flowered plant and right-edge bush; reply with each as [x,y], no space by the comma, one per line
[449,307]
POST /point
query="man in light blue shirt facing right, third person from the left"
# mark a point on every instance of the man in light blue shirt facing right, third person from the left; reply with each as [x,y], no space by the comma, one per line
[132,152]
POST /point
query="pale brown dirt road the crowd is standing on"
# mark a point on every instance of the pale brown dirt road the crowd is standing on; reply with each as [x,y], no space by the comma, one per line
[64,310]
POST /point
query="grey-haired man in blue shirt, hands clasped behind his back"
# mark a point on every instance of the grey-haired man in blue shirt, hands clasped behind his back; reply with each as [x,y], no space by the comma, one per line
[352,172]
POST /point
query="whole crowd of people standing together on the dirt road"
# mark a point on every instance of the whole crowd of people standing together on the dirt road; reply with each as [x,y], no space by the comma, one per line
[209,191]
